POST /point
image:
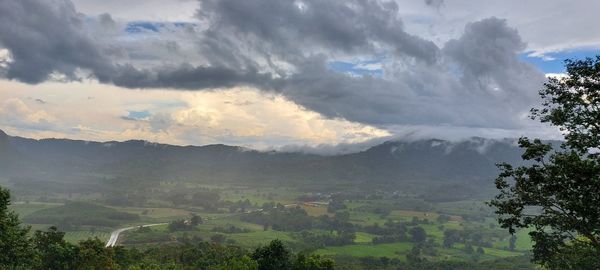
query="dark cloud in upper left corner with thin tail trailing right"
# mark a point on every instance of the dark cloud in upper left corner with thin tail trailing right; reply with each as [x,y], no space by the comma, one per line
[44,37]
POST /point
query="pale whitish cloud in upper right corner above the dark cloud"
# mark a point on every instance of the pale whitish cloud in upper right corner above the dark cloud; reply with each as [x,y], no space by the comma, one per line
[546,26]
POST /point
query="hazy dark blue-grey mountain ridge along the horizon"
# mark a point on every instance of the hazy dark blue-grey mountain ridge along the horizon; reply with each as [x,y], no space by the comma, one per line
[397,162]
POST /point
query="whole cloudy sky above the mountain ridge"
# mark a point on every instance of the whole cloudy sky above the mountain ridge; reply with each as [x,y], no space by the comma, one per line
[279,74]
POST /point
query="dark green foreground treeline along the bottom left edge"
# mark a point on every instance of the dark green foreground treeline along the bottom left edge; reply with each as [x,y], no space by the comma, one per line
[49,250]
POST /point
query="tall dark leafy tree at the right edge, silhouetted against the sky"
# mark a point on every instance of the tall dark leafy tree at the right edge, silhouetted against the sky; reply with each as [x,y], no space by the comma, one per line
[558,193]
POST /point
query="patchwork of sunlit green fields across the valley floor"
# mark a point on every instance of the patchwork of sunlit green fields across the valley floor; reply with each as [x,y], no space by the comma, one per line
[98,220]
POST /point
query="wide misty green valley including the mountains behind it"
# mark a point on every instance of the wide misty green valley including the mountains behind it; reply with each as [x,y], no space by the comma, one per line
[362,214]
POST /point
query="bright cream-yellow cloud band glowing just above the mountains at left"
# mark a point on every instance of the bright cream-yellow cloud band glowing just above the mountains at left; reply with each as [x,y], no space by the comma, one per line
[241,116]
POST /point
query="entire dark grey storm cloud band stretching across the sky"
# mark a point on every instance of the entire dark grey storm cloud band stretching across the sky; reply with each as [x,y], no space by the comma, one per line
[286,47]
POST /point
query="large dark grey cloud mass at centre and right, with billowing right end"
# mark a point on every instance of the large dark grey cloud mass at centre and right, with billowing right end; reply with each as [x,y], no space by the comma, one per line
[307,34]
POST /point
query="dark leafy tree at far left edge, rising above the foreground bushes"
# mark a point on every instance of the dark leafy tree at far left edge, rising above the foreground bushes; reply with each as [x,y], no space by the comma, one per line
[15,247]
